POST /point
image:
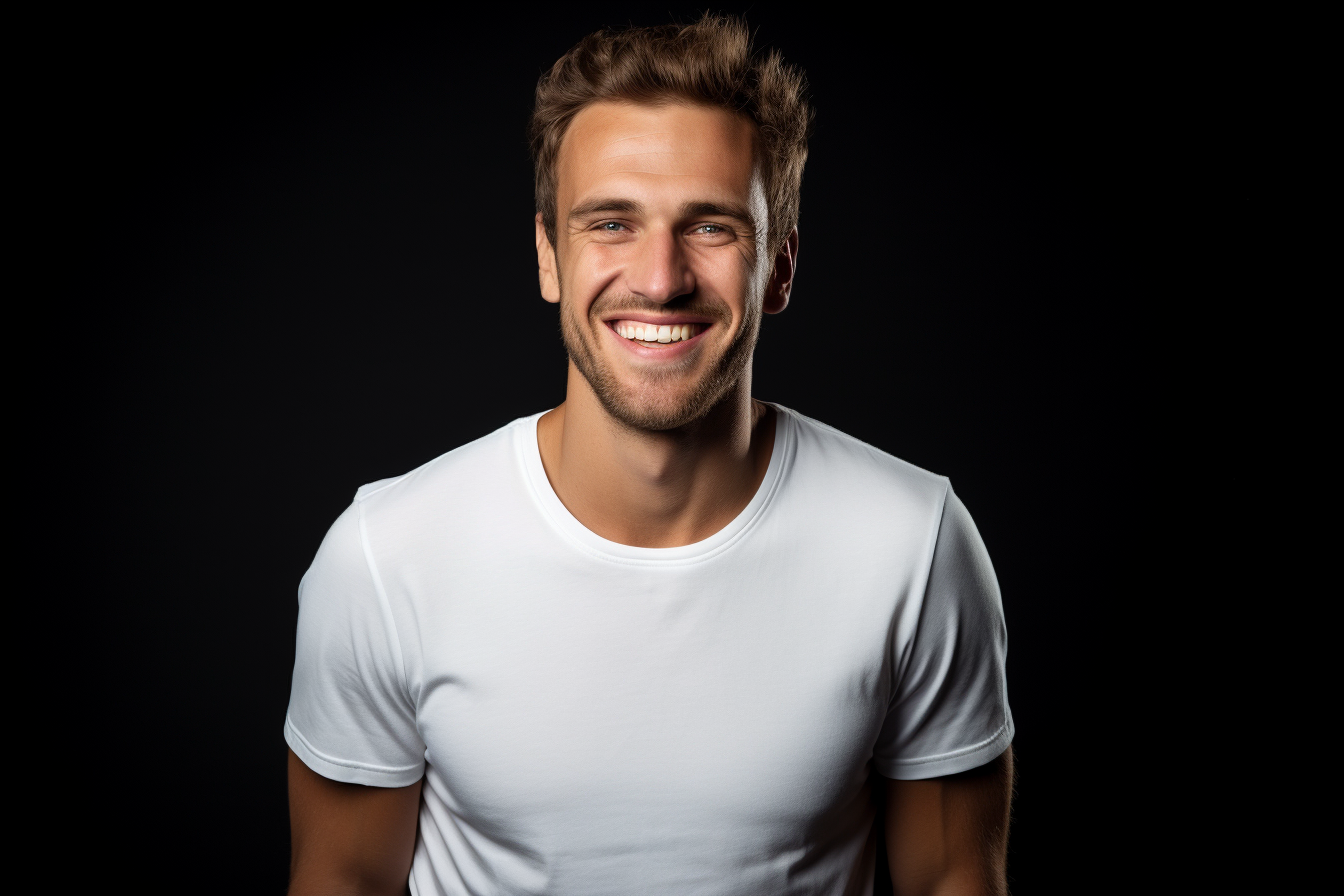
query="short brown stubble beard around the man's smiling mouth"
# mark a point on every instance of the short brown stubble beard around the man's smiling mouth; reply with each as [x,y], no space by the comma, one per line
[663,400]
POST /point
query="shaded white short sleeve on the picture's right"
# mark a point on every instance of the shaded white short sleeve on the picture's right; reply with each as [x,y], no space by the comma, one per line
[950,709]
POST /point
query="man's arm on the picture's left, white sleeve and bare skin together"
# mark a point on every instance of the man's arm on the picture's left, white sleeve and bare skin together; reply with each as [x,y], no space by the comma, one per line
[357,758]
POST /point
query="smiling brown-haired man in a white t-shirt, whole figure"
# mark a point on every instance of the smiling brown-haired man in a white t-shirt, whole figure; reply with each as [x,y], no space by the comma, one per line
[665,637]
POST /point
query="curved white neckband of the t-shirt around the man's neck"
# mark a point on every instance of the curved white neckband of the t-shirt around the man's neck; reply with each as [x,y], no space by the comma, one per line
[589,542]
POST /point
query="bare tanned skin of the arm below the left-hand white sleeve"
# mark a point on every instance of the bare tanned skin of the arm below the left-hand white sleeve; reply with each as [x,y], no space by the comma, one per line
[349,840]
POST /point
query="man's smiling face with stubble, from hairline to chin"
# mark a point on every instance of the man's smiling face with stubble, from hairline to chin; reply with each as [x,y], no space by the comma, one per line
[663,267]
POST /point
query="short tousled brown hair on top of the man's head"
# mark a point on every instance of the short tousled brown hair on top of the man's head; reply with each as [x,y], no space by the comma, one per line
[710,62]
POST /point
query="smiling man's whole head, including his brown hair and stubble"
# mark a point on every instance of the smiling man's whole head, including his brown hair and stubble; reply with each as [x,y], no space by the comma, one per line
[669,169]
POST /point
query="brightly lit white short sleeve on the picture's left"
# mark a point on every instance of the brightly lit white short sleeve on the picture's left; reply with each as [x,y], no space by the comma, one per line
[350,715]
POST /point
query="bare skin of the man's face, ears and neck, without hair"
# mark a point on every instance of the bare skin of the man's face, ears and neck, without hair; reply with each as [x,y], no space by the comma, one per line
[661,214]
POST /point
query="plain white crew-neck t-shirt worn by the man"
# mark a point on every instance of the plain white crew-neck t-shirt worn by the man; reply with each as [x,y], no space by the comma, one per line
[597,719]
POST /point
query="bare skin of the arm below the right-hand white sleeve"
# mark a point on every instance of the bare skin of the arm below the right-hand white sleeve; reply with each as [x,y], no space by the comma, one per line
[950,836]
